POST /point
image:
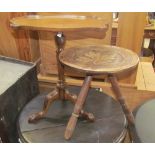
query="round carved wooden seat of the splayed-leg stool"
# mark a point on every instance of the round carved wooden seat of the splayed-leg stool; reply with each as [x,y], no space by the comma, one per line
[99,59]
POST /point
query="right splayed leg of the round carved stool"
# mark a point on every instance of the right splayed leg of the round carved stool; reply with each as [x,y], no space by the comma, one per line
[127,112]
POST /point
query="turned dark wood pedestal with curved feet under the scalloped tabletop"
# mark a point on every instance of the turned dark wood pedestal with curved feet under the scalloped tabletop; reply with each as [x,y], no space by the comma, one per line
[60,92]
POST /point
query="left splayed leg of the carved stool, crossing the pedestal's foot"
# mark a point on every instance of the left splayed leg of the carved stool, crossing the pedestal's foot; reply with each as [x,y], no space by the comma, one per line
[78,107]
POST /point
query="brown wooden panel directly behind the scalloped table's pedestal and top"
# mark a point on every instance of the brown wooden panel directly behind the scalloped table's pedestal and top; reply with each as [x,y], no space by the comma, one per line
[47,43]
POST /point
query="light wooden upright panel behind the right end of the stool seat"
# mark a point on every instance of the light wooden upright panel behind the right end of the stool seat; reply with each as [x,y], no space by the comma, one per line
[130,35]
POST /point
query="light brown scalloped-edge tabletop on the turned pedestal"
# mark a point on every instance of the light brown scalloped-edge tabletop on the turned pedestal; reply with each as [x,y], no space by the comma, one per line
[59,22]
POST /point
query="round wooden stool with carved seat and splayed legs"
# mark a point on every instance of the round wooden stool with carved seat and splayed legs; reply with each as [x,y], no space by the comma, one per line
[95,60]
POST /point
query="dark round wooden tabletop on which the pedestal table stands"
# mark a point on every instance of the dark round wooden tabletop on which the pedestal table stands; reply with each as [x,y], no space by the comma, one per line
[110,124]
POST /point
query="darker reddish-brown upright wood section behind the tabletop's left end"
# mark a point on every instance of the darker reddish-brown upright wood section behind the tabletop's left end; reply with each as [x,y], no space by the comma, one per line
[27,41]
